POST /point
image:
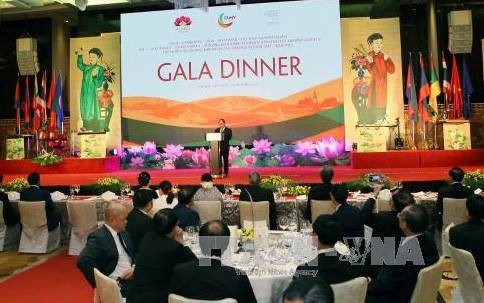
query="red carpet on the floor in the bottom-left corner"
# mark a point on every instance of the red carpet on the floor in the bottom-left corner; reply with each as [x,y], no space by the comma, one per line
[55,281]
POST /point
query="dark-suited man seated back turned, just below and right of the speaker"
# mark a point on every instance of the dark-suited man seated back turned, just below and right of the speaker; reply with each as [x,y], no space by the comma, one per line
[256,193]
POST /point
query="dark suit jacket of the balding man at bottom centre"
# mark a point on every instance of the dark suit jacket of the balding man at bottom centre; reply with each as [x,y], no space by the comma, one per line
[211,282]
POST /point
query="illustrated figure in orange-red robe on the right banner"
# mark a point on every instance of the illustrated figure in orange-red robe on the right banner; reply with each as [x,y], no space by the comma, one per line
[379,65]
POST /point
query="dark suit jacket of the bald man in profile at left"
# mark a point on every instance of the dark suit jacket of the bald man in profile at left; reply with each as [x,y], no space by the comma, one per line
[100,252]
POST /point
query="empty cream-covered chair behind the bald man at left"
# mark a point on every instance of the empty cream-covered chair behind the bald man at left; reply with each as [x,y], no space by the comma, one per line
[83,221]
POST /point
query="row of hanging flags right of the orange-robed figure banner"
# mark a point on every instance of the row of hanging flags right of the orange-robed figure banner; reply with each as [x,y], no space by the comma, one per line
[424,105]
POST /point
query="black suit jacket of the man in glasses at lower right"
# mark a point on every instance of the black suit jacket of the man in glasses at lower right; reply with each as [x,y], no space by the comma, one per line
[395,283]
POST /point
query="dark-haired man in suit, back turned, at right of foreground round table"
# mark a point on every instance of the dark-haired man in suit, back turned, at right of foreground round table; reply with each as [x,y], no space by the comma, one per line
[328,265]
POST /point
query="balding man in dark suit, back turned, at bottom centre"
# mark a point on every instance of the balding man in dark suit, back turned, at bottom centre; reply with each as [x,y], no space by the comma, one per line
[208,278]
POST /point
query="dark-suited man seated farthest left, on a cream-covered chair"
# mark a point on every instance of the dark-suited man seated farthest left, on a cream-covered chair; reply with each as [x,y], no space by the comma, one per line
[35,193]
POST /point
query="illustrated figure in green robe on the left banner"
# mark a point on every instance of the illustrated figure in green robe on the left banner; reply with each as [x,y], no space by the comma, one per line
[92,79]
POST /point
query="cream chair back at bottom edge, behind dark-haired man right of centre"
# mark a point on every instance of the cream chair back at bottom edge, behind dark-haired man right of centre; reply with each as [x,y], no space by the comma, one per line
[352,291]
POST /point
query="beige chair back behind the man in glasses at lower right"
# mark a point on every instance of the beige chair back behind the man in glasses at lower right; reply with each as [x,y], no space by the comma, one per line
[428,283]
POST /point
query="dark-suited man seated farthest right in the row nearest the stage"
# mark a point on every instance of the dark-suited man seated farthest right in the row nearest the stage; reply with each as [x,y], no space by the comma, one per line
[455,190]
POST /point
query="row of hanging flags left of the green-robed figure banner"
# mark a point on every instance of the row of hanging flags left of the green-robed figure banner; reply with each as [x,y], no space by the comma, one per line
[43,107]
